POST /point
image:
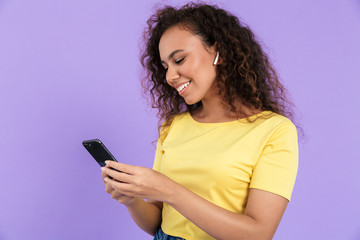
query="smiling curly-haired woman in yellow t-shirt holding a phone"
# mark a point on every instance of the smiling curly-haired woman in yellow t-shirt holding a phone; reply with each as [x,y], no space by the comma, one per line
[227,154]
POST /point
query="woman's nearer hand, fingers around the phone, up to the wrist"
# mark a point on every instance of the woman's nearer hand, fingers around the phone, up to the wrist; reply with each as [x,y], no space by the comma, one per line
[135,181]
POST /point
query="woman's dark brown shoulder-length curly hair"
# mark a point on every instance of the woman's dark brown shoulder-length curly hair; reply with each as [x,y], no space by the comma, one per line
[244,74]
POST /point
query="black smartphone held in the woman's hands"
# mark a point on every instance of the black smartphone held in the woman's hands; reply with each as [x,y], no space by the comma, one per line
[98,150]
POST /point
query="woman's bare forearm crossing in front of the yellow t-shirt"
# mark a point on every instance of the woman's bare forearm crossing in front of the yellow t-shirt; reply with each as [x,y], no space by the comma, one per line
[214,220]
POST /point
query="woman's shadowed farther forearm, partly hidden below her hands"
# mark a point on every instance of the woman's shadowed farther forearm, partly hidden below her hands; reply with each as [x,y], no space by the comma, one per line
[146,215]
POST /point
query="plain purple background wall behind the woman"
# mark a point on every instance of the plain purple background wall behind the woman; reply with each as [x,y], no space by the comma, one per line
[69,71]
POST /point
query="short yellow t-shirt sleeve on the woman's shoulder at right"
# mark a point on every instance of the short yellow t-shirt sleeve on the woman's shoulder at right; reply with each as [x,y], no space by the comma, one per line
[276,168]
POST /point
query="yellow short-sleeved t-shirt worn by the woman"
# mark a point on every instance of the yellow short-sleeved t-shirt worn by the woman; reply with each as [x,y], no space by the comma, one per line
[221,161]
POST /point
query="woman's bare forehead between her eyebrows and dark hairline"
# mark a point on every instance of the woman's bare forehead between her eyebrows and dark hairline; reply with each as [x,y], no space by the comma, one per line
[178,38]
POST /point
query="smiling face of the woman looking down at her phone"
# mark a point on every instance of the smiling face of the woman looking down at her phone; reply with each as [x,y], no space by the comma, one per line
[189,64]
